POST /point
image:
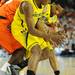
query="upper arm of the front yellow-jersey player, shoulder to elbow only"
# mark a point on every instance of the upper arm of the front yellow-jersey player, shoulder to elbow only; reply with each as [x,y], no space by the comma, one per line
[28,12]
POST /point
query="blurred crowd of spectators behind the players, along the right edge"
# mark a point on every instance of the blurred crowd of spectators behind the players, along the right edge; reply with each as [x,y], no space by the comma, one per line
[68,20]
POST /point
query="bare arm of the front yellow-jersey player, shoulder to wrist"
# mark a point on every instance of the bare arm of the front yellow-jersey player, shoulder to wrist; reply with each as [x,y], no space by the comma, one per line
[28,11]
